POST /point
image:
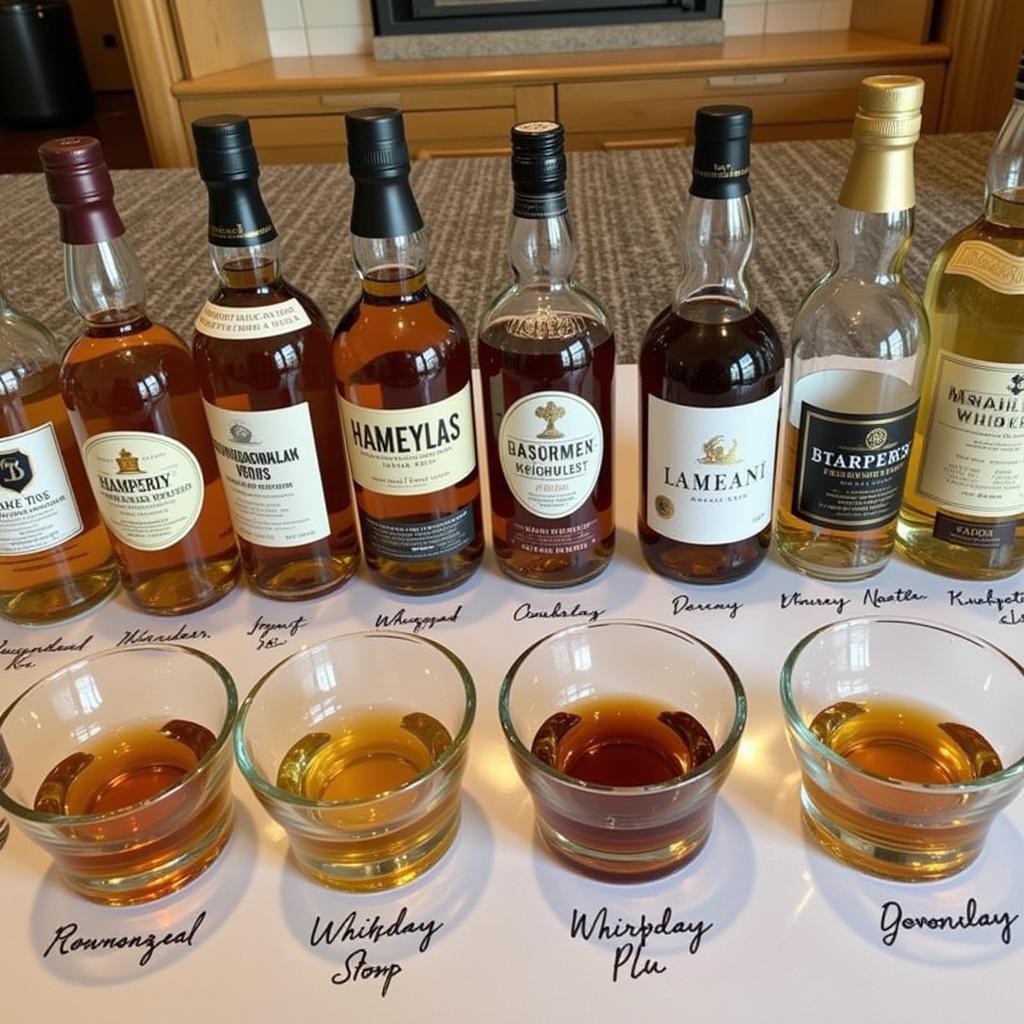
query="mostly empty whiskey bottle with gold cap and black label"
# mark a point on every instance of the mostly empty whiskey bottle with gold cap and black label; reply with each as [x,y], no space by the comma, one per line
[858,357]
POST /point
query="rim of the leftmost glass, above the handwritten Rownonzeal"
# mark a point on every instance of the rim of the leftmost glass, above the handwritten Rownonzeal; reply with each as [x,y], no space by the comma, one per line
[201,766]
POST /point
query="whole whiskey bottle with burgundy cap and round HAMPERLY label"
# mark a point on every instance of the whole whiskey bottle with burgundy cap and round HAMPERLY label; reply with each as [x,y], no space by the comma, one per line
[131,389]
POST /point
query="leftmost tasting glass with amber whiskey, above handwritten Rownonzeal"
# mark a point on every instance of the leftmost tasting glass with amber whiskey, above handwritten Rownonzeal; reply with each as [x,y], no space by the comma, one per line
[136,741]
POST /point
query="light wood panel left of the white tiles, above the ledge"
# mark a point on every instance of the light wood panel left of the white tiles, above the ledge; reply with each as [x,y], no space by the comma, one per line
[220,35]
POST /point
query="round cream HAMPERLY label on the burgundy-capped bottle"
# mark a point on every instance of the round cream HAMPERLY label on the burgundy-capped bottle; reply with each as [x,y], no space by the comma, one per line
[149,488]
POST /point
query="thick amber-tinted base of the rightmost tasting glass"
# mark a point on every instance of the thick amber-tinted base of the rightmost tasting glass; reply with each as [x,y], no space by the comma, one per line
[919,861]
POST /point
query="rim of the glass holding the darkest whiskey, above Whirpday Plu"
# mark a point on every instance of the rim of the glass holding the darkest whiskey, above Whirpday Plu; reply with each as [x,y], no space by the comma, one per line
[705,770]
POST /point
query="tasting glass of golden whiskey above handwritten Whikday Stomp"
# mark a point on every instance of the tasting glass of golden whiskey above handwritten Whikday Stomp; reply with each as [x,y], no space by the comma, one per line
[327,714]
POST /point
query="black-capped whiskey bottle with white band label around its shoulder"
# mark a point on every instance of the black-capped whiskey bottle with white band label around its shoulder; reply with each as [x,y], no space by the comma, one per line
[263,352]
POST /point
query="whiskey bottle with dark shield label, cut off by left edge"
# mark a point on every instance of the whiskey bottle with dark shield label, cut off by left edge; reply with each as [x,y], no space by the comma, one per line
[56,559]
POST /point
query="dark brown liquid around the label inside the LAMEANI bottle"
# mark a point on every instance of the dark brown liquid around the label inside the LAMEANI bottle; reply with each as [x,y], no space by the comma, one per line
[707,365]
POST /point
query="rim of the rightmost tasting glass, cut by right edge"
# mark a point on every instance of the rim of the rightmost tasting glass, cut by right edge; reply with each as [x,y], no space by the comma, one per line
[797,724]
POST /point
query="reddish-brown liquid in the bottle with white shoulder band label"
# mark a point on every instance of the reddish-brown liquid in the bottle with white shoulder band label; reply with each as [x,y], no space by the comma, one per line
[259,374]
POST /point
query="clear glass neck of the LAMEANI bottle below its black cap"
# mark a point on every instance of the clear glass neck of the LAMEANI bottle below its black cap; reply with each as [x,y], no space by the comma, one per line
[718,240]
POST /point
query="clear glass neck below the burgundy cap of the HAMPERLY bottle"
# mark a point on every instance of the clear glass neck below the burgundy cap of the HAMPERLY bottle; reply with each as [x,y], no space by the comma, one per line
[106,283]
